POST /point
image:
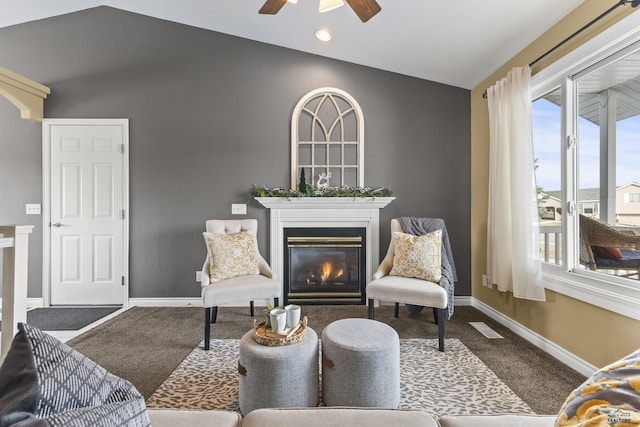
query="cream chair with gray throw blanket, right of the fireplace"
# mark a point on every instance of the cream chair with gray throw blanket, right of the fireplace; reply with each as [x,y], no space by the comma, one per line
[418,270]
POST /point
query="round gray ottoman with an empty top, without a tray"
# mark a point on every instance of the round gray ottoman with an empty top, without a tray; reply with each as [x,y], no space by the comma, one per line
[360,364]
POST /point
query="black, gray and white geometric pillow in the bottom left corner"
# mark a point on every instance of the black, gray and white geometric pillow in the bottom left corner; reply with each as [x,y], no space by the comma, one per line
[44,382]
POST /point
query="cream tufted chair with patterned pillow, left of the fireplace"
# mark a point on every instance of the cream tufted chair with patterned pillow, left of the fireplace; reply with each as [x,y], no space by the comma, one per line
[234,271]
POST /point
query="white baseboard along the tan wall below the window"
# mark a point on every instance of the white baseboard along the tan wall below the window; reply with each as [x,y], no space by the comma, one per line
[538,340]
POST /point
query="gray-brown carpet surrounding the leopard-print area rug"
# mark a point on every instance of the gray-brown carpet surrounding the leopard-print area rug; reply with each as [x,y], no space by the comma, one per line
[144,345]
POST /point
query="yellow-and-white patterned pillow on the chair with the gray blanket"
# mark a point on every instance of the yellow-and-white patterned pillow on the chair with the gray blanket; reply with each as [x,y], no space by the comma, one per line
[418,256]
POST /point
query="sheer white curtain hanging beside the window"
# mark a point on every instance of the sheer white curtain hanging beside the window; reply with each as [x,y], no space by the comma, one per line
[513,254]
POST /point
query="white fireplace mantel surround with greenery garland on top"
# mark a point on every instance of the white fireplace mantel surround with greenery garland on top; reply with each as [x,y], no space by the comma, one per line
[319,212]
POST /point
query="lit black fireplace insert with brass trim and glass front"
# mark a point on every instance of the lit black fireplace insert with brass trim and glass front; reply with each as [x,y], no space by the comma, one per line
[324,265]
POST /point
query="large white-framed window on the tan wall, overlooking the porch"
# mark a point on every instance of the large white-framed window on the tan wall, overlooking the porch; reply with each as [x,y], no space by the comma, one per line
[586,120]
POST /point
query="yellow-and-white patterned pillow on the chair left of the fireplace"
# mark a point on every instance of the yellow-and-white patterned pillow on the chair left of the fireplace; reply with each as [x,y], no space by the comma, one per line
[231,255]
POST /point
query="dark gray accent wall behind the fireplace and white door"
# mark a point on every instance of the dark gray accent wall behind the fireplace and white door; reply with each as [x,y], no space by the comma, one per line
[209,117]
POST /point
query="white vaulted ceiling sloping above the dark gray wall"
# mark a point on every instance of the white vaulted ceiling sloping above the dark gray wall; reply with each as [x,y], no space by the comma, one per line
[458,43]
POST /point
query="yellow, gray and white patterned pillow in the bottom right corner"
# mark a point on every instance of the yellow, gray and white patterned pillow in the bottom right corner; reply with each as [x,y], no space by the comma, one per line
[611,397]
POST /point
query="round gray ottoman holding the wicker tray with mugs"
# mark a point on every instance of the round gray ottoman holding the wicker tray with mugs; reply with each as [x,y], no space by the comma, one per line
[278,377]
